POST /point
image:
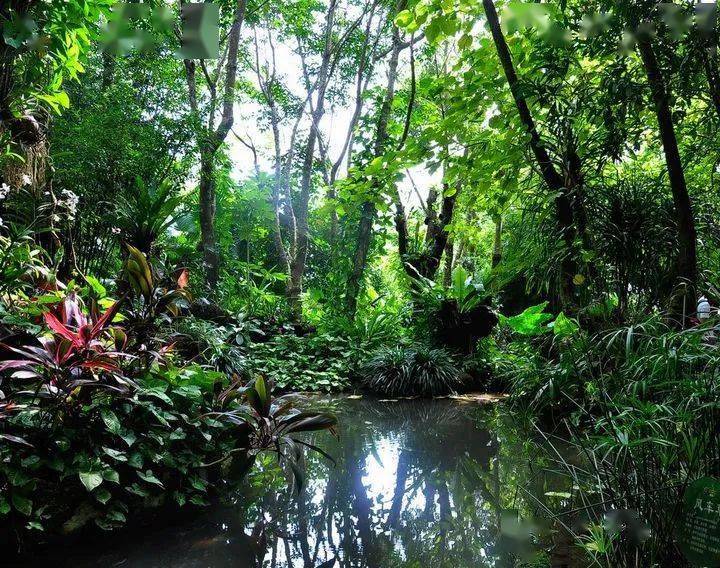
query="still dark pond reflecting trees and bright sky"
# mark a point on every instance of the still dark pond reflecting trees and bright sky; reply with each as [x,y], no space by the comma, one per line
[415,483]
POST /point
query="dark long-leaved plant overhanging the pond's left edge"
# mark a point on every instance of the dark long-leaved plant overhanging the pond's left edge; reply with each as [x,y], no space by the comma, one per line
[272,423]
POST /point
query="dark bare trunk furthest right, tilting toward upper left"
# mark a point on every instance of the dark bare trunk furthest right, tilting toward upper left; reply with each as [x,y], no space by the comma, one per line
[684,298]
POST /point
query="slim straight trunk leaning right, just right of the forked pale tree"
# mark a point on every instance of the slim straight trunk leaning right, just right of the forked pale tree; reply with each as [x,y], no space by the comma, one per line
[368,212]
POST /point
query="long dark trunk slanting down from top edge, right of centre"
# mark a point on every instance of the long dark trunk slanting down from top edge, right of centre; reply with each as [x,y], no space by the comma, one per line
[553,180]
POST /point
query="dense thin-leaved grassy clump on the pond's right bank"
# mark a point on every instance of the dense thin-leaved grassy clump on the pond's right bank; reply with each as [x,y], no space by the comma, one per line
[639,406]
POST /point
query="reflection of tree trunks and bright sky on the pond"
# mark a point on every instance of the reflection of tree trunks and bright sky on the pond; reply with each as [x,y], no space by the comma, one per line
[436,508]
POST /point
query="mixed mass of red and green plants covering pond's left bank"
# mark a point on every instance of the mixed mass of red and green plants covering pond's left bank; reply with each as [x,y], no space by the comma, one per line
[100,417]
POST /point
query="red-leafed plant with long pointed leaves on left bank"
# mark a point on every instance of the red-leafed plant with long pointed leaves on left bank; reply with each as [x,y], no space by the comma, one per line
[82,351]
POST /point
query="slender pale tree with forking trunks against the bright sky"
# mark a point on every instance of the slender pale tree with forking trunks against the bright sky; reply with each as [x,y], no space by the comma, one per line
[320,74]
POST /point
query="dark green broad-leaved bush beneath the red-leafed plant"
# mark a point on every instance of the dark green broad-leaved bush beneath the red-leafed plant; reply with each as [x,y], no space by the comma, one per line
[112,456]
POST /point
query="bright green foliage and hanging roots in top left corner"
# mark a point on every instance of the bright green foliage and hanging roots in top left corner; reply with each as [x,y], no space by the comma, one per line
[44,44]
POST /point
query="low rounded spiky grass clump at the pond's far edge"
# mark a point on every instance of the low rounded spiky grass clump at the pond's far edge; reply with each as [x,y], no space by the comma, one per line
[420,371]
